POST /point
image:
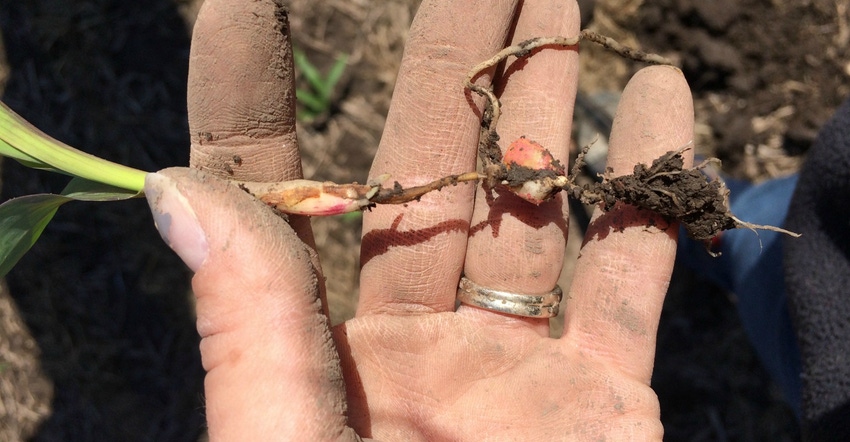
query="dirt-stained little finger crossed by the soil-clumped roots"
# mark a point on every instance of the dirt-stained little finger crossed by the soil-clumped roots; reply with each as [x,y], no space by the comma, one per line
[625,265]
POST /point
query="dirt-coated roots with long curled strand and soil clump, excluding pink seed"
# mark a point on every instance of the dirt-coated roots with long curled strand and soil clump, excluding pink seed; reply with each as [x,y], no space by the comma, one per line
[664,187]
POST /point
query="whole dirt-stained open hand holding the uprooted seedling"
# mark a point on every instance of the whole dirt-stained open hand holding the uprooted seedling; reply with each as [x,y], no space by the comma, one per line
[408,366]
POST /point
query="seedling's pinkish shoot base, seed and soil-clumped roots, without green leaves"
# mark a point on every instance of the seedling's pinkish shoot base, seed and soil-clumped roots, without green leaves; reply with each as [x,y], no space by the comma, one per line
[664,187]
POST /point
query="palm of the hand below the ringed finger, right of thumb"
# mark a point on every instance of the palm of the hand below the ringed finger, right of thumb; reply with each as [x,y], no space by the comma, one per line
[458,377]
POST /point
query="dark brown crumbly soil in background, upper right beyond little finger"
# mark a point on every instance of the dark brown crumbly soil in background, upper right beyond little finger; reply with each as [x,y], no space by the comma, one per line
[767,74]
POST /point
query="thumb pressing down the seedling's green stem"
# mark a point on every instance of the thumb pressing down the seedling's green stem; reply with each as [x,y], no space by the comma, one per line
[272,368]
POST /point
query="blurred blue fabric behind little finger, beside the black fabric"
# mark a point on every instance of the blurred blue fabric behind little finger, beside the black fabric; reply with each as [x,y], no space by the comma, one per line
[750,266]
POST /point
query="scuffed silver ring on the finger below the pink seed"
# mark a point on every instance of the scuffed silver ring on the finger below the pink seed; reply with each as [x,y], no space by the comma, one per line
[532,306]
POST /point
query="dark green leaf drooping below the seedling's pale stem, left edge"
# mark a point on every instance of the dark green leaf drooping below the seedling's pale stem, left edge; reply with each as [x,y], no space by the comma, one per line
[22,220]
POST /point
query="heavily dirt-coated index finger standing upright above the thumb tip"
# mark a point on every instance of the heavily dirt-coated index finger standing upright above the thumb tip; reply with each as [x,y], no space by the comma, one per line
[241,93]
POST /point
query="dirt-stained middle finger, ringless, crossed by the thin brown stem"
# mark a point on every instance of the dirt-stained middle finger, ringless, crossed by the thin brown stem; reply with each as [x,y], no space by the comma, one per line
[412,256]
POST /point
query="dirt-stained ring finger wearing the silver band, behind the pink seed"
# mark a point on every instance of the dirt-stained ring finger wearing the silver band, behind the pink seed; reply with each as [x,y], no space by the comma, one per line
[515,245]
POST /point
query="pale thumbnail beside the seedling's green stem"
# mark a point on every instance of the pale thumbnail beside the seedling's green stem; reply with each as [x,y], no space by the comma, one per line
[176,221]
